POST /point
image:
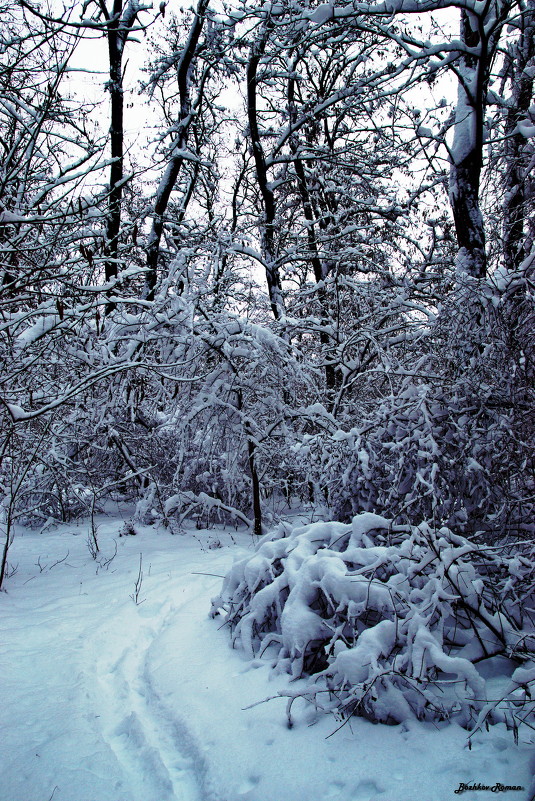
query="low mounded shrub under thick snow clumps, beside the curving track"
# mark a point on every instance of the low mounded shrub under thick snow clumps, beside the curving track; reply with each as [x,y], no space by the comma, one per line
[393,620]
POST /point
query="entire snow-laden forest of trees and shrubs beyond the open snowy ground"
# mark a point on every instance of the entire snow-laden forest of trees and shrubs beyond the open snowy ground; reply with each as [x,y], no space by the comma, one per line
[268,269]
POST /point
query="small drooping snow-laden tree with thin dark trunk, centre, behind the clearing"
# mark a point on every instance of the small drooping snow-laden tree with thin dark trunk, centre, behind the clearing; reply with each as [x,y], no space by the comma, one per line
[233,429]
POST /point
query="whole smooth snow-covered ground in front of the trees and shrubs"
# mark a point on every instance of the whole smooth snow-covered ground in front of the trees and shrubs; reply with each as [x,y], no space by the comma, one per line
[103,699]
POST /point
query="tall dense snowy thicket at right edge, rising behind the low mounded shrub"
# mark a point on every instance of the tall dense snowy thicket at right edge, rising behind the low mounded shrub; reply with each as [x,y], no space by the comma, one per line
[452,438]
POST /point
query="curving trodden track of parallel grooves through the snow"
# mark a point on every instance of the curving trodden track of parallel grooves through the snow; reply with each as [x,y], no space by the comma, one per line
[152,750]
